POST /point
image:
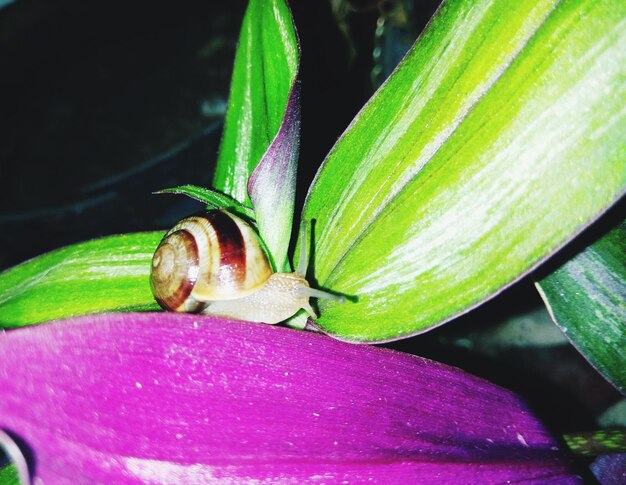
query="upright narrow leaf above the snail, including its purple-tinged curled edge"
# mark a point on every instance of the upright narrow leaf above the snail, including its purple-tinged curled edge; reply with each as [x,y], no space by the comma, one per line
[262,124]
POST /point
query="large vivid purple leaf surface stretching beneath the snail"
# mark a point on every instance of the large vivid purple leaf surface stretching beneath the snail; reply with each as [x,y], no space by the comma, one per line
[134,398]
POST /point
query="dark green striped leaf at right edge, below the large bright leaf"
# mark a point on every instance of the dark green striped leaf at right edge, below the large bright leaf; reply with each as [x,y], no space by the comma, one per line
[586,298]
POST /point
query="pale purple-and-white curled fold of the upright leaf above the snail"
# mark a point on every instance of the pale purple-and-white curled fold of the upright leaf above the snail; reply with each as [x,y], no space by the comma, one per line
[272,184]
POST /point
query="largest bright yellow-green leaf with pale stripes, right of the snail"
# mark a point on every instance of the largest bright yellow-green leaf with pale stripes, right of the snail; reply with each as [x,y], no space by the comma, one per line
[499,137]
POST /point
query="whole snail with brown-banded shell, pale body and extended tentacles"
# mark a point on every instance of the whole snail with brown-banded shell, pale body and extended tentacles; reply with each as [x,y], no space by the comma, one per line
[214,263]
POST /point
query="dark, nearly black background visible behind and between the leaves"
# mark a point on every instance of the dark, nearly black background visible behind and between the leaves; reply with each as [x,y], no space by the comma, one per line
[102,103]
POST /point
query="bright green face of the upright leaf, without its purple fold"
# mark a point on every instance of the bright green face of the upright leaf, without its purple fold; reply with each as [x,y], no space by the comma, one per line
[264,73]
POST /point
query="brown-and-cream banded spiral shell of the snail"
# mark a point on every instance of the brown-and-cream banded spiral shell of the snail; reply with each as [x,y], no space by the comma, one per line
[210,256]
